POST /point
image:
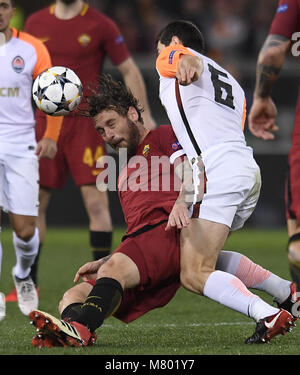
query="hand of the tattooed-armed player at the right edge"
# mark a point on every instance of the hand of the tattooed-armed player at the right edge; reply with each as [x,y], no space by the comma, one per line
[261,119]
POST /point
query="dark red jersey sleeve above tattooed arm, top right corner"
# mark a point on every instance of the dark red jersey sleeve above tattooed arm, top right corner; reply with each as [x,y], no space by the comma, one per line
[287,18]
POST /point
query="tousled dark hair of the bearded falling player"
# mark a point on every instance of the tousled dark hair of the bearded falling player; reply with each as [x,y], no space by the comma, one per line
[113,95]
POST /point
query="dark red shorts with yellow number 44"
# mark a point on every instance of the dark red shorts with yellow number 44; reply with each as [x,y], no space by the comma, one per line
[79,146]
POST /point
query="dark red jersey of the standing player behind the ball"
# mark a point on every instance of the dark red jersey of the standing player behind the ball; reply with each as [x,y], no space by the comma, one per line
[80,43]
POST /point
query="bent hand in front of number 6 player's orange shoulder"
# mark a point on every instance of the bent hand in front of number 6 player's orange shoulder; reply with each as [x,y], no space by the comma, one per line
[189,69]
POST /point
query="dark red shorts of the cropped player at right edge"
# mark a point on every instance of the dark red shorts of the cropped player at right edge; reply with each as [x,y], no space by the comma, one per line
[292,188]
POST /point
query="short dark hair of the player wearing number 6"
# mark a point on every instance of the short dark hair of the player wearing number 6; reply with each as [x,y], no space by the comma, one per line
[186,31]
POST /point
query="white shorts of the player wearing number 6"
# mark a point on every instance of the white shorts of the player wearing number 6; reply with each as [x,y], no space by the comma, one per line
[232,187]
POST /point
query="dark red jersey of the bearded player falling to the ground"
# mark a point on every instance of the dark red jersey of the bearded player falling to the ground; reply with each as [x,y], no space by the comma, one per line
[147,185]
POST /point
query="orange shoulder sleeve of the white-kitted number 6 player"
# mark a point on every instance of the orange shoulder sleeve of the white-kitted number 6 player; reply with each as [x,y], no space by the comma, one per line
[167,60]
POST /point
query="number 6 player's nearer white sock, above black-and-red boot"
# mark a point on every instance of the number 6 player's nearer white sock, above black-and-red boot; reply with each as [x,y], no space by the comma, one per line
[228,290]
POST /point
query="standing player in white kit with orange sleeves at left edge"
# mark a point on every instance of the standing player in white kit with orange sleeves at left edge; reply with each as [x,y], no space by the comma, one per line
[22,59]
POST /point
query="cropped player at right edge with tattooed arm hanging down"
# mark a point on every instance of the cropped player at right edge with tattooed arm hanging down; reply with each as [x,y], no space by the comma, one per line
[263,113]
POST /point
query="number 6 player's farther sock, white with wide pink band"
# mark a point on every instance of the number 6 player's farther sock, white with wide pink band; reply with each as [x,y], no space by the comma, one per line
[253,275]
